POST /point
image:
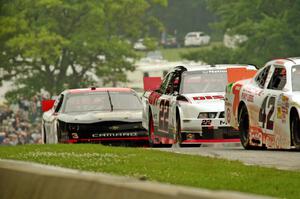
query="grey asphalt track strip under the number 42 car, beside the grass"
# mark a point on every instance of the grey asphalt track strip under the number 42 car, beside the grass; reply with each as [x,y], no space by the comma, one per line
[280,159]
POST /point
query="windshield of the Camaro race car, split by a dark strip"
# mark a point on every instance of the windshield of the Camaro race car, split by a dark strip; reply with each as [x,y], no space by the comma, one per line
[99,101]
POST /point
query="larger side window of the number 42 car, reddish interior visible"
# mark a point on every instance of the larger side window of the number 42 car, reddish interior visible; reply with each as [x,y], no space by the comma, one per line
[278,79]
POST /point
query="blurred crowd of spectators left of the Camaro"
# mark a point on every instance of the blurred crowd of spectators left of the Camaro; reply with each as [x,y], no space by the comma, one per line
[21,123]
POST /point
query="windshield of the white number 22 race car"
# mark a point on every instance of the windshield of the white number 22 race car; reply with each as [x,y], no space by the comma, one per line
[205,81]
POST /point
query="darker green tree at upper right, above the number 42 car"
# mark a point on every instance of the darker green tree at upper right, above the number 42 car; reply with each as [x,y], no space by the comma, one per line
[272,28]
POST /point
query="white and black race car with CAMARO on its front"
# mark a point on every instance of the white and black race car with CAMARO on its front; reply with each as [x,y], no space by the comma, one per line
[94,115]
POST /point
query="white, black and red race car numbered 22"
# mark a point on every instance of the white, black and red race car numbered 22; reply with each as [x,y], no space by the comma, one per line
[188,108]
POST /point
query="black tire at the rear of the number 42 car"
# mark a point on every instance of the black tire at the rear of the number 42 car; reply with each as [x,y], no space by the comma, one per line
[244,127]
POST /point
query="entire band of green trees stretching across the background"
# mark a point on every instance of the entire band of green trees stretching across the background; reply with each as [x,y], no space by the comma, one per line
[52,45]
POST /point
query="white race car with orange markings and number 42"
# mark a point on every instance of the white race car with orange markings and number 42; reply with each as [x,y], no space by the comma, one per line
[266,108]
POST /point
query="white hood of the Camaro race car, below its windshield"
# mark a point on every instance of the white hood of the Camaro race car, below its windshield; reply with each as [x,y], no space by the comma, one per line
[92,117]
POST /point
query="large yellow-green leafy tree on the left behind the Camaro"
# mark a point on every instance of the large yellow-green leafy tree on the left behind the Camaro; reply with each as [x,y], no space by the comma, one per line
[54,44]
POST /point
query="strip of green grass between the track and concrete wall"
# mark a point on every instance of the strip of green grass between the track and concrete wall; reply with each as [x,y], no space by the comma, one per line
[165,167]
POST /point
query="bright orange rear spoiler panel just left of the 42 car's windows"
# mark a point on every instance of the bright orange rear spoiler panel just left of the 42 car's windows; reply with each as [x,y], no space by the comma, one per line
[237,74]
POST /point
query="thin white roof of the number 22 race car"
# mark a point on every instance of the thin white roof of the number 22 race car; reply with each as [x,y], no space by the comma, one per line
[218,66]
